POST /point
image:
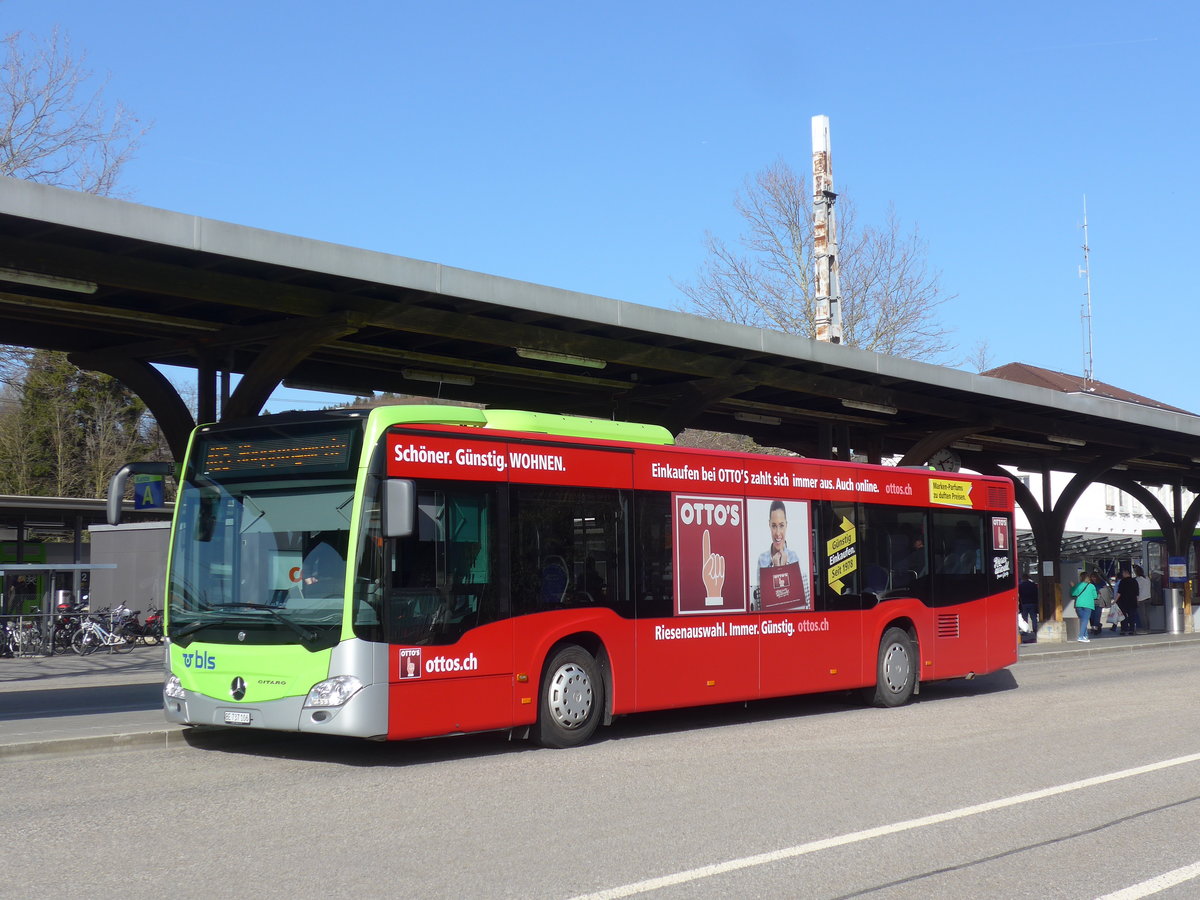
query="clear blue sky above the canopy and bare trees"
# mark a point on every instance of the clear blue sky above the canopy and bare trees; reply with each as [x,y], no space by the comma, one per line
[590,147]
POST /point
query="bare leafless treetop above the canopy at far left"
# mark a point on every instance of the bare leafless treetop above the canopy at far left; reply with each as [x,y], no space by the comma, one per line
[55,127]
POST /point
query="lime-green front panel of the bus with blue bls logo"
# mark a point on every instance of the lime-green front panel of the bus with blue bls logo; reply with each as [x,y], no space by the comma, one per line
[269,673]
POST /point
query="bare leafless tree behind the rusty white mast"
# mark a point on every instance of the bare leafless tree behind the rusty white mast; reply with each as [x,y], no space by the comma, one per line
[890,296]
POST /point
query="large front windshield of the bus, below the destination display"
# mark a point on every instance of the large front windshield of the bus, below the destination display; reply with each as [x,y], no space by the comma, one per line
[261,561]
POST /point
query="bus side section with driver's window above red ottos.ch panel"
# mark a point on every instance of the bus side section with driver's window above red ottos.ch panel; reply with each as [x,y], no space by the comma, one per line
[448,616]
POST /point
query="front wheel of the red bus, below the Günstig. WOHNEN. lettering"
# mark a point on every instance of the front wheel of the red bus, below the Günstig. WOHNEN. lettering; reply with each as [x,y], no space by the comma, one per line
[572,703]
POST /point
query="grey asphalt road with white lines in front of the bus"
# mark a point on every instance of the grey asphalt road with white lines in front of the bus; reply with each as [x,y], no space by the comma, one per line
[1057,779]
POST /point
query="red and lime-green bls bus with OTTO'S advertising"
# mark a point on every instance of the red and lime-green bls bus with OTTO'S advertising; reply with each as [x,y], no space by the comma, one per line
[411,572]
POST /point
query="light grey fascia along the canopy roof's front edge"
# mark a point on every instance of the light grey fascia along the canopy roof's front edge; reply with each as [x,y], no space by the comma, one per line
[125,219]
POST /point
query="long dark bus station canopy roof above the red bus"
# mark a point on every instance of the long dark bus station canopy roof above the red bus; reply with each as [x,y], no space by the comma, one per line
[123,287]
